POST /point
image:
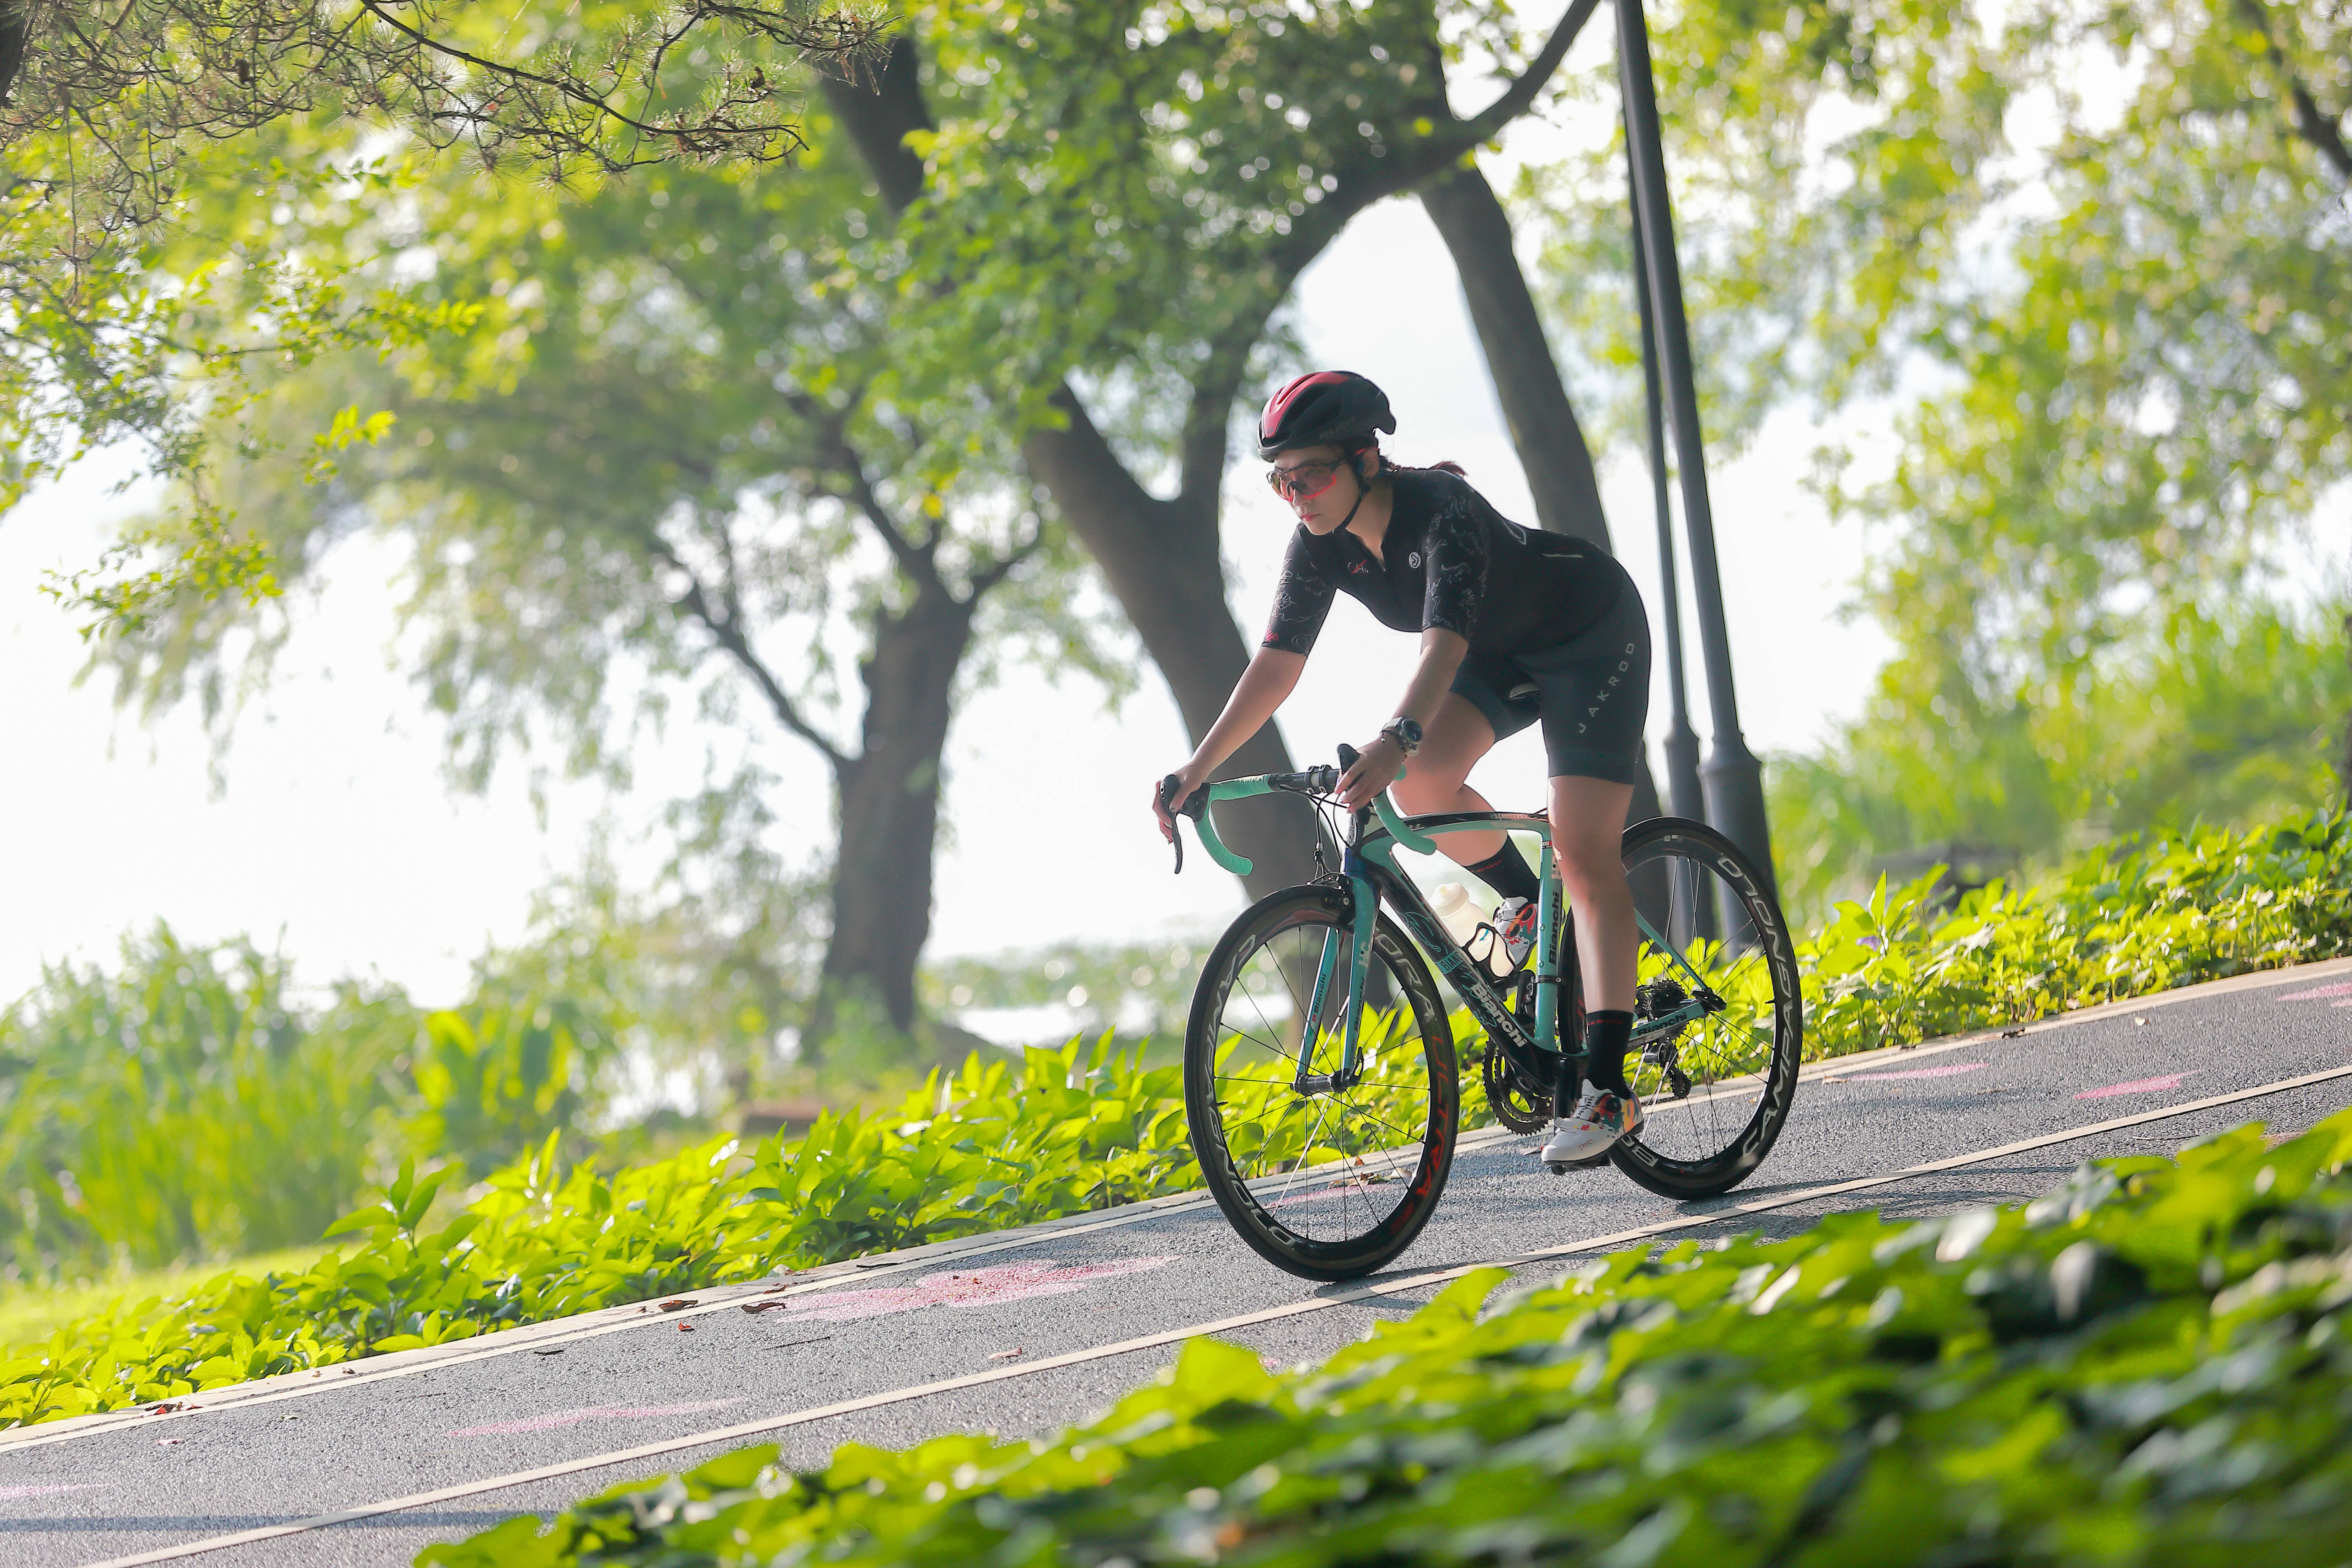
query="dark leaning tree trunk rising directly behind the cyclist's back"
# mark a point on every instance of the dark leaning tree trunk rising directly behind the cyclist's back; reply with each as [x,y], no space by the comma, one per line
[1535,401]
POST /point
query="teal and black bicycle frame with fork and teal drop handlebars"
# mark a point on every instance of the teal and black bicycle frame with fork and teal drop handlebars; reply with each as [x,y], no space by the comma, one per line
[1372,873]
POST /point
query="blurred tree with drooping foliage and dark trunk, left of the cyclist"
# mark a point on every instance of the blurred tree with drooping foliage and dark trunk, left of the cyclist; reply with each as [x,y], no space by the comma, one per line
[660,471]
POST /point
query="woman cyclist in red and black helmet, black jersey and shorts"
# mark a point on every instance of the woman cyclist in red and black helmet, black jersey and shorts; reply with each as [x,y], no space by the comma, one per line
[1516,626]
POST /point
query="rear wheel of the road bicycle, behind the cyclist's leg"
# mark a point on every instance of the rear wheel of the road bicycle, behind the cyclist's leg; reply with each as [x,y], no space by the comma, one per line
[1692,1148]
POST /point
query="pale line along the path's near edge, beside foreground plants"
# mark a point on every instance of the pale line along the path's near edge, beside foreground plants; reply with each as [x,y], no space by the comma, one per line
[1175,1336]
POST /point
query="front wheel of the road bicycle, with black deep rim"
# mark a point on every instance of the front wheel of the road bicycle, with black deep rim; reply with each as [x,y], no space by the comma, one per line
[1248,1165]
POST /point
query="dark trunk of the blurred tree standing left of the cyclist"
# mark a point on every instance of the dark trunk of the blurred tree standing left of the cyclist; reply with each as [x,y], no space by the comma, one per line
[890,817]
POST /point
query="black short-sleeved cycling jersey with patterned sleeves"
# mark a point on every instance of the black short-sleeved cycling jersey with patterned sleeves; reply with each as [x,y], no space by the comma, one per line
[1448,561]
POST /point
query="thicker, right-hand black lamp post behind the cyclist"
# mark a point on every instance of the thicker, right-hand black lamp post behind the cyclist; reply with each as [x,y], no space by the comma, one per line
[1732,775]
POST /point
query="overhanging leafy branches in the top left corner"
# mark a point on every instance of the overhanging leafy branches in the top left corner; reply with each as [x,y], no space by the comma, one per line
[100,121]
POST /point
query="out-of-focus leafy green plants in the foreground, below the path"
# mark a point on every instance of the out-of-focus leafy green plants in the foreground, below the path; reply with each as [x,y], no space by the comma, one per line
[2146,1367]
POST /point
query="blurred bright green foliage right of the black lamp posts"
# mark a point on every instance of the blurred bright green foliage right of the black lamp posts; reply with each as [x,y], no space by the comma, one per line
[2097,260]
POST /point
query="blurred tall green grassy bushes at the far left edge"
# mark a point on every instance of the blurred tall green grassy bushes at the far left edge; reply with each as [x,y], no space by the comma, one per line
[187,1106]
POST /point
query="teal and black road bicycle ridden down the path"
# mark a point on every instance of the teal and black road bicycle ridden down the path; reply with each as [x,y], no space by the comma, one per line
[1321,1066]
